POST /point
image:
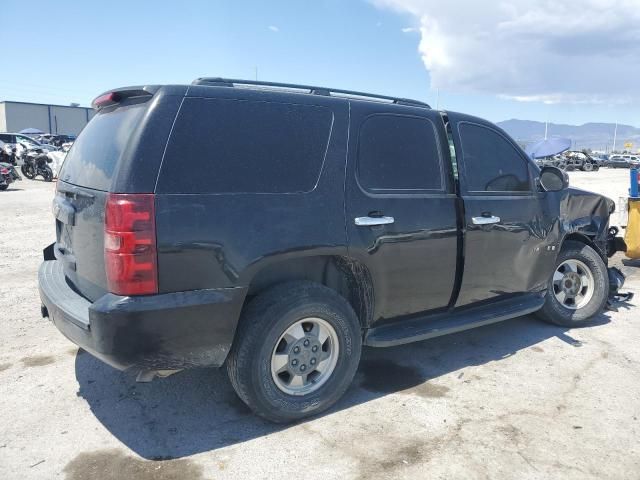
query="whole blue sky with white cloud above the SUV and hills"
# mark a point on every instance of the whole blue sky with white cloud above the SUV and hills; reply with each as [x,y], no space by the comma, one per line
[565,61]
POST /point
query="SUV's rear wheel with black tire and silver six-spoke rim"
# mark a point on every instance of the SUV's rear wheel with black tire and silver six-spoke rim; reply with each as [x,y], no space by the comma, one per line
[259,337]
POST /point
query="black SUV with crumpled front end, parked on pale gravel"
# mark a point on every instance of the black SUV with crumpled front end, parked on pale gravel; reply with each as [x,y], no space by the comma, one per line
[276,229]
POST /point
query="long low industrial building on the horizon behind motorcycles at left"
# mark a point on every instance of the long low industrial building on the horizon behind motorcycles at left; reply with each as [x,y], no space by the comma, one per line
[56,119]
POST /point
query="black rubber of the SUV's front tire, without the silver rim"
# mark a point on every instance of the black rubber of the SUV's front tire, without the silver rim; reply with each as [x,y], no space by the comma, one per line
[555,312]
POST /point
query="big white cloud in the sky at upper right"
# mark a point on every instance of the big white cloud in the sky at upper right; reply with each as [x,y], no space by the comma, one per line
[563,51]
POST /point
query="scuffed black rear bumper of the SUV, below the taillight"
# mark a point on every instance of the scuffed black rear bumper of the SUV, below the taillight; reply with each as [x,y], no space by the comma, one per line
[162,332]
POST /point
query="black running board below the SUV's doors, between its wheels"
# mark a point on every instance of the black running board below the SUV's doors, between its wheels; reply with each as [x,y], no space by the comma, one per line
[431,326]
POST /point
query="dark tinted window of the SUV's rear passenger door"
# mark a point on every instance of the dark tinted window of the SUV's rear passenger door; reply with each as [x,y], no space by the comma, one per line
[398,153]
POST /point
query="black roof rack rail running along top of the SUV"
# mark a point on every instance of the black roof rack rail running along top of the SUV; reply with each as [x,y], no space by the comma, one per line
[232,82]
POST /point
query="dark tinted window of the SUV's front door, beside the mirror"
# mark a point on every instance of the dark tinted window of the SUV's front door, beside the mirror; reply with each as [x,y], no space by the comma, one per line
[491,163]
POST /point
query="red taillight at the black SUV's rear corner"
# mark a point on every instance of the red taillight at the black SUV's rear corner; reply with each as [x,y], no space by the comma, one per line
[130,255]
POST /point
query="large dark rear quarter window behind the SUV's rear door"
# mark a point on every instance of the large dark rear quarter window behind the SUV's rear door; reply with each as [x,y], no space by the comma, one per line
[242,146]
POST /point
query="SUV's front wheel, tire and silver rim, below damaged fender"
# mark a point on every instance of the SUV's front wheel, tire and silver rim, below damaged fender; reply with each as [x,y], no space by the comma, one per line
[584,306]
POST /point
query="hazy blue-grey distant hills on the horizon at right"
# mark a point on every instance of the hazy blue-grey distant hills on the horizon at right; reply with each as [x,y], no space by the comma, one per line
[597,136]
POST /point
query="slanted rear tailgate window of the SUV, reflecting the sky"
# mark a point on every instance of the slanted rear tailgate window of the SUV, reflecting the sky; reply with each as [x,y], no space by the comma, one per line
[93,158]
